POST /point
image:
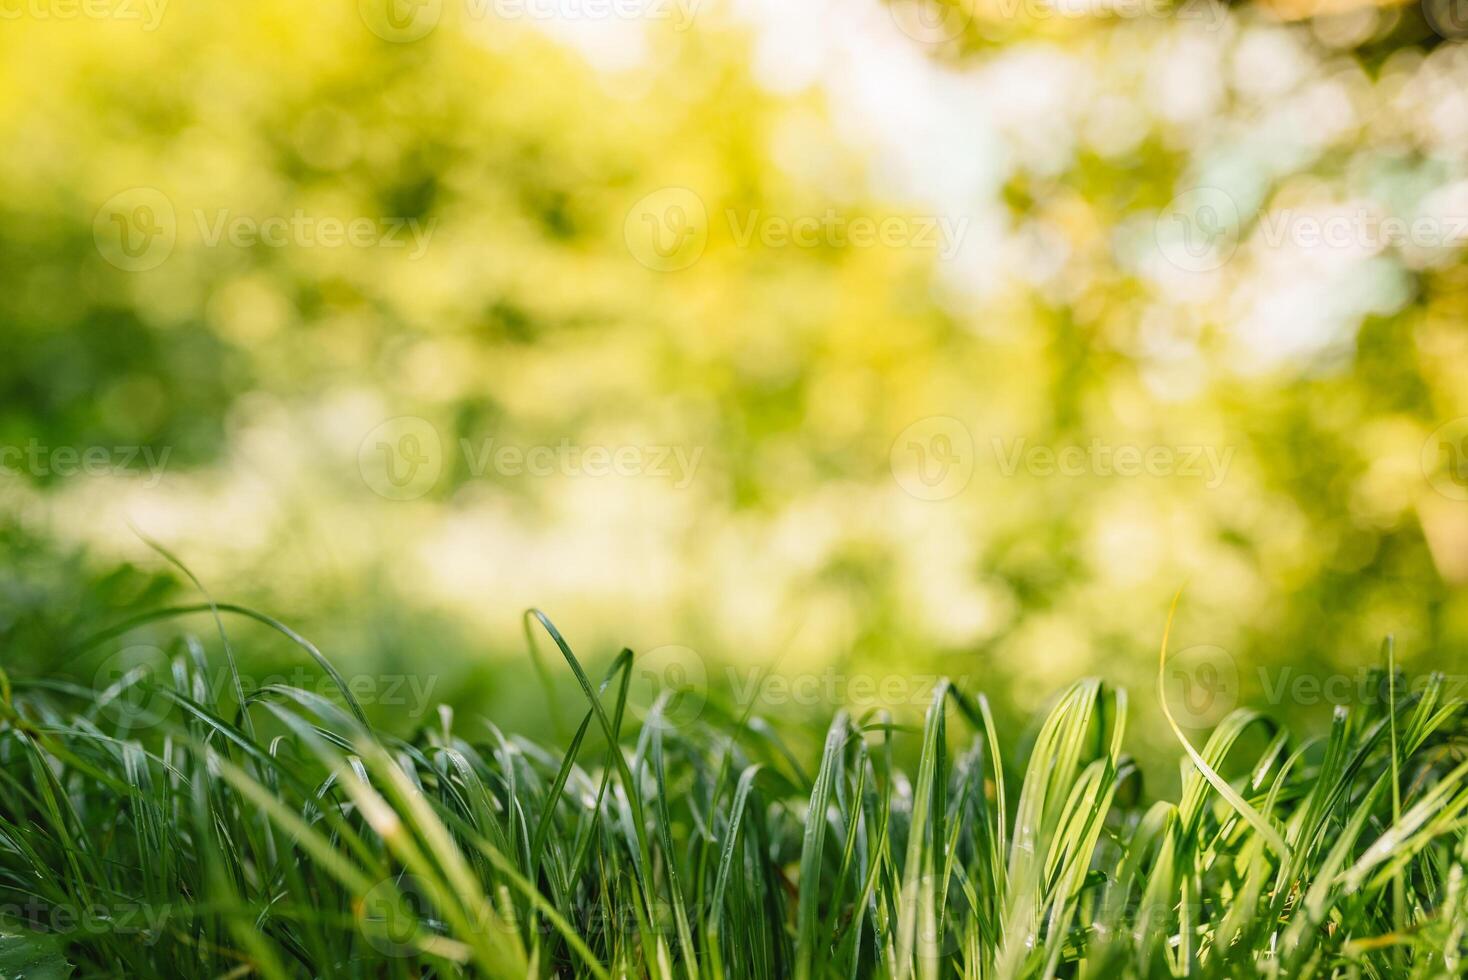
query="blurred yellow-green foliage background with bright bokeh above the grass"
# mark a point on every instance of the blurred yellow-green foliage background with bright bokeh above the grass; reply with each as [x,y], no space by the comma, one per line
[854,341]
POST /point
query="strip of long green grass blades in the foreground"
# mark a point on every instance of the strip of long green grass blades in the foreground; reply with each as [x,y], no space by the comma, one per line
[272,833]
